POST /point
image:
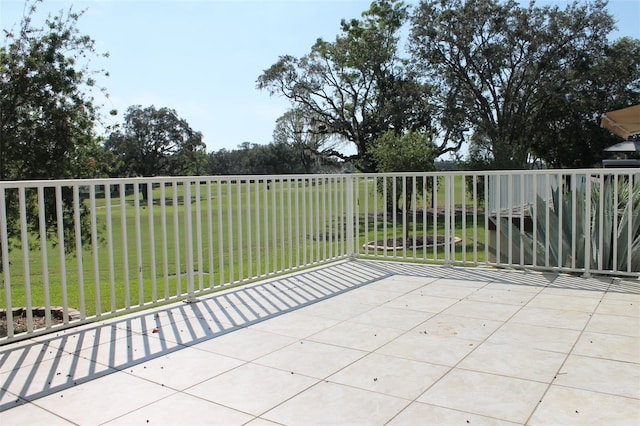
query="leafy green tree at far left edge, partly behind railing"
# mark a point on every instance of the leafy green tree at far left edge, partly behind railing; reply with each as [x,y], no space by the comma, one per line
[47,113]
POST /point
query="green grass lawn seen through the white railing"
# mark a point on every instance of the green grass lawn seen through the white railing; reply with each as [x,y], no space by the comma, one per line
[232,251]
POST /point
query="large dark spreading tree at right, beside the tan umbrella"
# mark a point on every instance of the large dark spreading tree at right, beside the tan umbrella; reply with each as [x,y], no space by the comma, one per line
[511,73]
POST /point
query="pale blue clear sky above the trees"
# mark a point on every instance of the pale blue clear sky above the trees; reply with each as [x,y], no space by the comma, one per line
[202,57]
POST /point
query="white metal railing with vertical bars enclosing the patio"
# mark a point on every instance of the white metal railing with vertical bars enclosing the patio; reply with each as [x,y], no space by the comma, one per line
[81,250]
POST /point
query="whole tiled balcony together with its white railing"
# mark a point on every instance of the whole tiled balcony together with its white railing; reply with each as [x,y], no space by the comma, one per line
[360,299]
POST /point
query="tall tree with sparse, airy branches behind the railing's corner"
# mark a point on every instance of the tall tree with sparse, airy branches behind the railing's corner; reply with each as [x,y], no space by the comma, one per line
[357,87]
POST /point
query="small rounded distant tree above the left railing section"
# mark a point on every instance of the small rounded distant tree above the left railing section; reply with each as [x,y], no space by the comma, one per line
[156,142]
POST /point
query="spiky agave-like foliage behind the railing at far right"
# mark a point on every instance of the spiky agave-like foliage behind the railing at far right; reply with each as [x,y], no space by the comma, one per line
[564,216]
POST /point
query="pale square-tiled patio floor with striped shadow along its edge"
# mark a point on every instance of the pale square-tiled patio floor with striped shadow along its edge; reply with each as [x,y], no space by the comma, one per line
[354,342]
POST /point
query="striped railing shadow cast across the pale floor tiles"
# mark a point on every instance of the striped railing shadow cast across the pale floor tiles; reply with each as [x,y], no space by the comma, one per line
[52,363]
